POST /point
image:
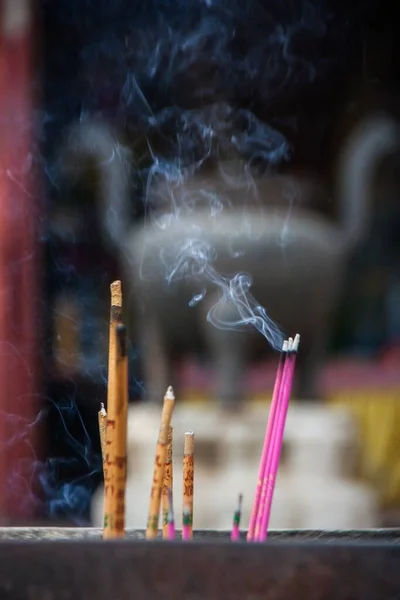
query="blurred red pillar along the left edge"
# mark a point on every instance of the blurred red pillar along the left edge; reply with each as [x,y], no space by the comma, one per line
[19,290]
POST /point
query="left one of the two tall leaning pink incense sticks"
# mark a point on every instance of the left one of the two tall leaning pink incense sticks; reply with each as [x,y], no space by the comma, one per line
[267,444]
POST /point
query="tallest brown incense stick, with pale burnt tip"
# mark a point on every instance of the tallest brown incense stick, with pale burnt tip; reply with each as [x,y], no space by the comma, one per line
[113,391]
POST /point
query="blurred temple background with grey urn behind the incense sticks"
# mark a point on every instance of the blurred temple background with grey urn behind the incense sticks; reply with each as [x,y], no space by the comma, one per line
[180,146]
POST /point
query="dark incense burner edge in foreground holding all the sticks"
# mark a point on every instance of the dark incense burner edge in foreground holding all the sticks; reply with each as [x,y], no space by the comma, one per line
[56,563]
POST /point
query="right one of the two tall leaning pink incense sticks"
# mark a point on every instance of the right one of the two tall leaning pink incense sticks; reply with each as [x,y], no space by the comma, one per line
[272,467]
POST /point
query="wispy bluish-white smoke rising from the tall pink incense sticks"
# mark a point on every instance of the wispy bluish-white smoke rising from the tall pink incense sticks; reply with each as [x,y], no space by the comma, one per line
[180,74]
